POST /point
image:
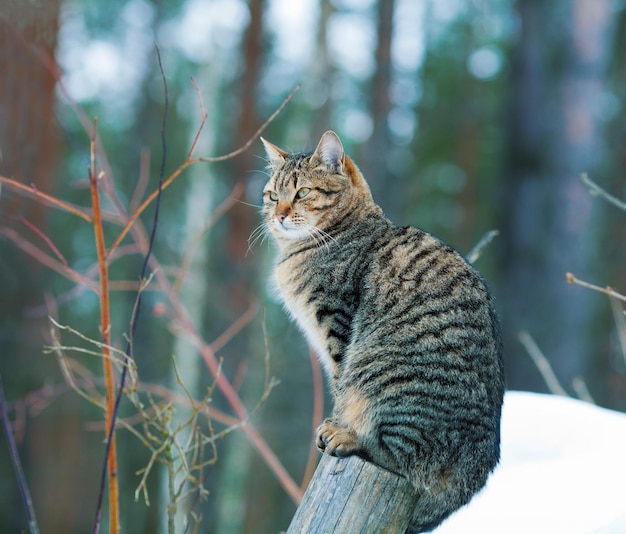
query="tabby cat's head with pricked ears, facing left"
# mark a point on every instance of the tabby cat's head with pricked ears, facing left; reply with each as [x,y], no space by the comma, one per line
[308,195]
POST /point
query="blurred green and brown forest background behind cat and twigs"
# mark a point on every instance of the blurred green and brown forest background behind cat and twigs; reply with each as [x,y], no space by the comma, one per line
[464,116]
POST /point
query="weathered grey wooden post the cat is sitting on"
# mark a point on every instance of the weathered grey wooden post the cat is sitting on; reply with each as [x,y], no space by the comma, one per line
[352,495]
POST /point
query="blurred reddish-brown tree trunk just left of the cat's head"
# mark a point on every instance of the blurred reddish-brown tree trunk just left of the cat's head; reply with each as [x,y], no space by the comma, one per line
[239,278]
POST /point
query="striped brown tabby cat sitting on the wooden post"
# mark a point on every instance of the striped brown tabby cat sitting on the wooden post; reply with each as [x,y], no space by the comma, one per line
[404,327]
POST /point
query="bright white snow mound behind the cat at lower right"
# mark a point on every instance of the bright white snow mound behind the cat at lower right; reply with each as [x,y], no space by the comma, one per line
[563,470]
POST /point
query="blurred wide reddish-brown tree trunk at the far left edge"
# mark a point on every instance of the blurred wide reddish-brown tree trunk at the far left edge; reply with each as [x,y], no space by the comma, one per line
[29,153]
